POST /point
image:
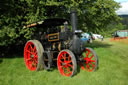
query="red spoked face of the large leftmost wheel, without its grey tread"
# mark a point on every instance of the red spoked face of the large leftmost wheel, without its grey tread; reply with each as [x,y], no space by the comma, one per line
[30,56]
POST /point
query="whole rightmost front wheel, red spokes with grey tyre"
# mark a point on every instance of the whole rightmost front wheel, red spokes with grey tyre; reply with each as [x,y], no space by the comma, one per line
[89,60]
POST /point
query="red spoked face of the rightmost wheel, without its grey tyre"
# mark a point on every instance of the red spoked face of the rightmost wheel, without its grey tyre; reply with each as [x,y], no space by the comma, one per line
[88,62]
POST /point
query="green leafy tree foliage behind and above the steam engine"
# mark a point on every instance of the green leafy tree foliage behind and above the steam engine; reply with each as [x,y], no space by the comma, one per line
[93,15]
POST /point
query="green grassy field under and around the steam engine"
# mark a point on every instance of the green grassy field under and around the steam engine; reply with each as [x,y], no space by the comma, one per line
[113,69]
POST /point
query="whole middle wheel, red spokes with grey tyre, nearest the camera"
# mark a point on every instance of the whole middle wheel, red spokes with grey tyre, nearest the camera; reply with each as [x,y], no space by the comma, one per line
[66,63]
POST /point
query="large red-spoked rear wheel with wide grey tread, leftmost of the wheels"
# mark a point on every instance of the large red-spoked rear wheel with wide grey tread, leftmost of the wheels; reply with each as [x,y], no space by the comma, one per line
[33,52]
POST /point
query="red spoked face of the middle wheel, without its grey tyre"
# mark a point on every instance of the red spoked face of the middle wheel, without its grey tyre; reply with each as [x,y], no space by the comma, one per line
[65,64]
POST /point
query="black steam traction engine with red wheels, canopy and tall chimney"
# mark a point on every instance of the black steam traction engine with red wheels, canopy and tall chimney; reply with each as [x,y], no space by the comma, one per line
[59,47]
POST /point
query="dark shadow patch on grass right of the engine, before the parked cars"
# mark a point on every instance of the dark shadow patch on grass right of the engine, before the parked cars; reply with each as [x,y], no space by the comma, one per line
[98,44]
